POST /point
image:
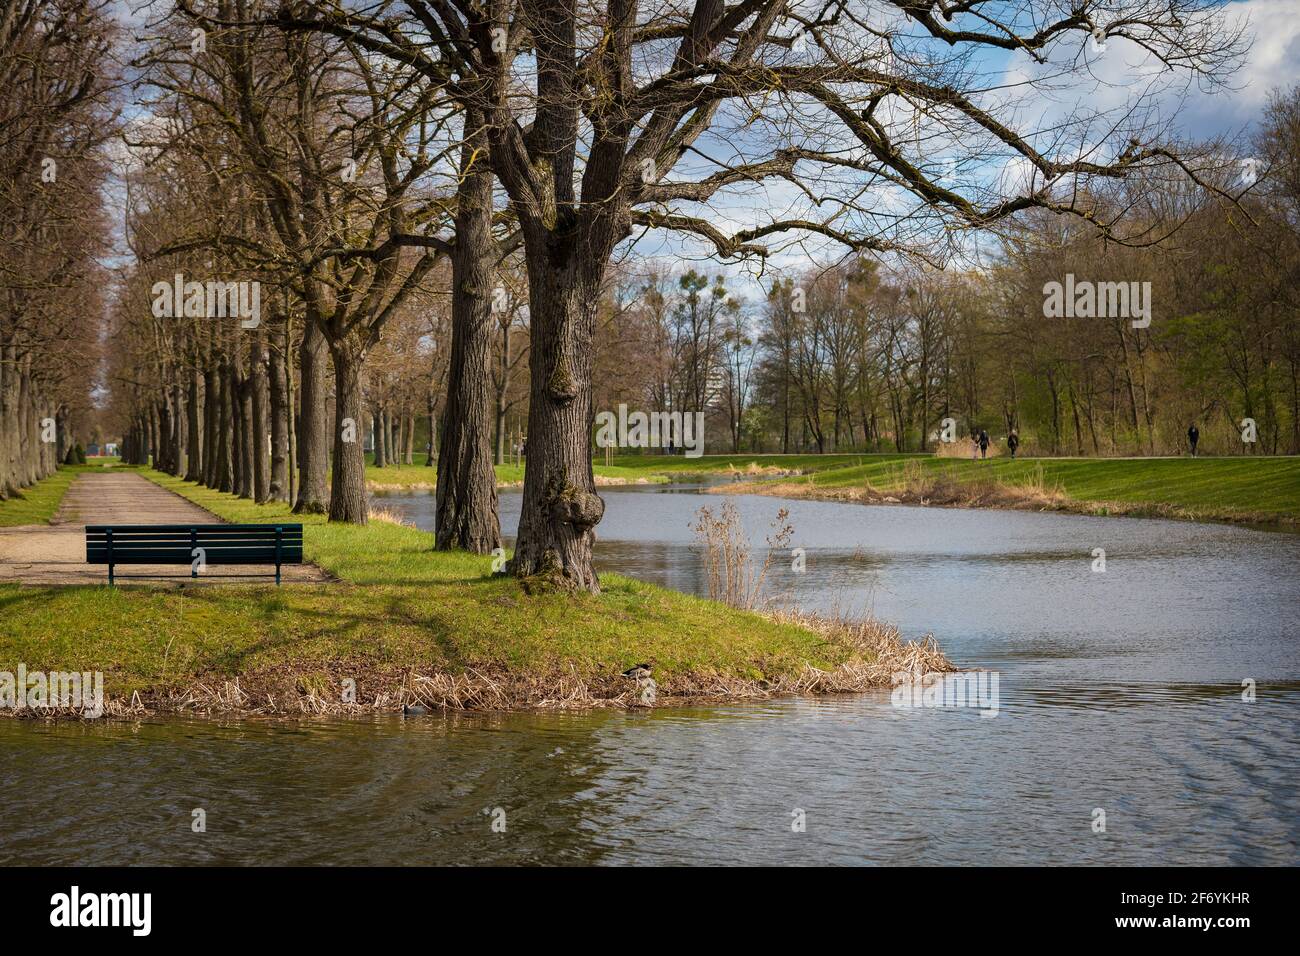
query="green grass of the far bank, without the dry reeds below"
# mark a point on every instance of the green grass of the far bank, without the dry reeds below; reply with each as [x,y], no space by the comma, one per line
[1242,487]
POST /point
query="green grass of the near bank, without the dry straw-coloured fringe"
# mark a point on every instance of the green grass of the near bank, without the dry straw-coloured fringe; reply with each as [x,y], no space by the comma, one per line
[397,607]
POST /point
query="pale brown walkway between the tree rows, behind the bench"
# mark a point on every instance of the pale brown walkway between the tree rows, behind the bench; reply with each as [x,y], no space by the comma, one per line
[55,553]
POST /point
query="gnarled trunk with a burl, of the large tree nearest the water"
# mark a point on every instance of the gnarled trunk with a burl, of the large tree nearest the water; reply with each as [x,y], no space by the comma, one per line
[561,508]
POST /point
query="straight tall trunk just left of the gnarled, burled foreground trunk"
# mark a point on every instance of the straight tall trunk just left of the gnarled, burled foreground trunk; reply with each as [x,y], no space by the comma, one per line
[467,482]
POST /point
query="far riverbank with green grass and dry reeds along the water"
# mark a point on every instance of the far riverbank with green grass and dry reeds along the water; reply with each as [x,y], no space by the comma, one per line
[1254,491]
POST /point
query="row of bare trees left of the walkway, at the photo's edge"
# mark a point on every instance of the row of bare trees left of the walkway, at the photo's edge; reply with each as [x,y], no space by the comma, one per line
[55,116]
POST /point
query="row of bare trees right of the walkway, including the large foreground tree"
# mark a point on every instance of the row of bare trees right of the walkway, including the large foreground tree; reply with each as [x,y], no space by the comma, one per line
[372,167]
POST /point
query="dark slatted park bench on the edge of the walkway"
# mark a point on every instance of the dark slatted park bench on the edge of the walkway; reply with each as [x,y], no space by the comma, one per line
[194,546]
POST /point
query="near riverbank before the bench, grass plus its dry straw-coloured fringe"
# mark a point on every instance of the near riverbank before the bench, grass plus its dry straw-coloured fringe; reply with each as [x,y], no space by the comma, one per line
[402,625]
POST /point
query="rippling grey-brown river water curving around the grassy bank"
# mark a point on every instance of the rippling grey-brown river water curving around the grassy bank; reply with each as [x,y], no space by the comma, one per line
[1121,694]
